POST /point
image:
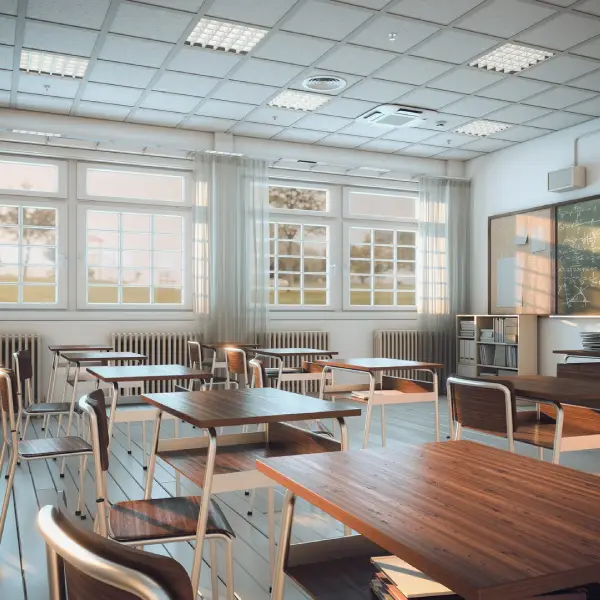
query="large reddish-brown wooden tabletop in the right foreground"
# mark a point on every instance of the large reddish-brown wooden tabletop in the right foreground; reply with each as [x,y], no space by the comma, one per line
[488,524]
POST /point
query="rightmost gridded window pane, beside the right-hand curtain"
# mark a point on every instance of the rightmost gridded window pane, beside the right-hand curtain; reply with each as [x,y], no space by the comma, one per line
[381,267]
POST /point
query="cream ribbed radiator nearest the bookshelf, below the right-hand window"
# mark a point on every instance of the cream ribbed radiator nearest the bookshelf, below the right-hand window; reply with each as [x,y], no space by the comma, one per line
[427,346]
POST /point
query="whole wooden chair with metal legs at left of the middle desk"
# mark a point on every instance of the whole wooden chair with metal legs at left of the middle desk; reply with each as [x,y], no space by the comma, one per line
[151,521]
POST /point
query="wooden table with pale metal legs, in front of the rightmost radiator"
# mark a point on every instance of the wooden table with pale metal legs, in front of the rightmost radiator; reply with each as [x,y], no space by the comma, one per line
[393,390]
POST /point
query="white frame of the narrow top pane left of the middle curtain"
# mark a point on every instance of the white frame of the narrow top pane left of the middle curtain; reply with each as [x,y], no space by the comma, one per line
[82,168]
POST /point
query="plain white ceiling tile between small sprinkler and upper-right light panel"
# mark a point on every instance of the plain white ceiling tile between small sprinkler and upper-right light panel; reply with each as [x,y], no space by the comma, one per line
[455,46]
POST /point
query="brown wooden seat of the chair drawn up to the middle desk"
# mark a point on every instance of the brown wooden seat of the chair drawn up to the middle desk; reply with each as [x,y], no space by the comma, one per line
[163,518]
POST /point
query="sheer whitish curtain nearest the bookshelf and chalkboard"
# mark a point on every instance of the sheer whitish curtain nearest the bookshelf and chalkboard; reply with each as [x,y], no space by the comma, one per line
[444,252]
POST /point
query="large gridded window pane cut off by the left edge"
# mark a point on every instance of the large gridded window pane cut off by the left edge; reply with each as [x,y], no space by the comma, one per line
[29,242]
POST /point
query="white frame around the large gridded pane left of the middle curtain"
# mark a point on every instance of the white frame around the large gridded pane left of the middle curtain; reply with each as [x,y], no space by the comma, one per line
[162,209]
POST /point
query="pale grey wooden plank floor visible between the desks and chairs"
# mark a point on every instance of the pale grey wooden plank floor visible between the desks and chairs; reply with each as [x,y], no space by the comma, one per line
[22,551]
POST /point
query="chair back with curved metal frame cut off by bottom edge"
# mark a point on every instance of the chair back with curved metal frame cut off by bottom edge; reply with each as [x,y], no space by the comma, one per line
[82,564]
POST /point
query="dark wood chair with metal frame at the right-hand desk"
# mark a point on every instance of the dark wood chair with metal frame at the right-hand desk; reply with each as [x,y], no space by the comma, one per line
[491,408]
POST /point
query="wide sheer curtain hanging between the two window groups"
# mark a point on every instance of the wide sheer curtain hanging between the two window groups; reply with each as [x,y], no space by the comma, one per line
[231,247]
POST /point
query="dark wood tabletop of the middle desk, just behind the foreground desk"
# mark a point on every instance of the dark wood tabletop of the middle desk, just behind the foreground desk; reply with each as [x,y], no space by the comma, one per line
[223,408]
